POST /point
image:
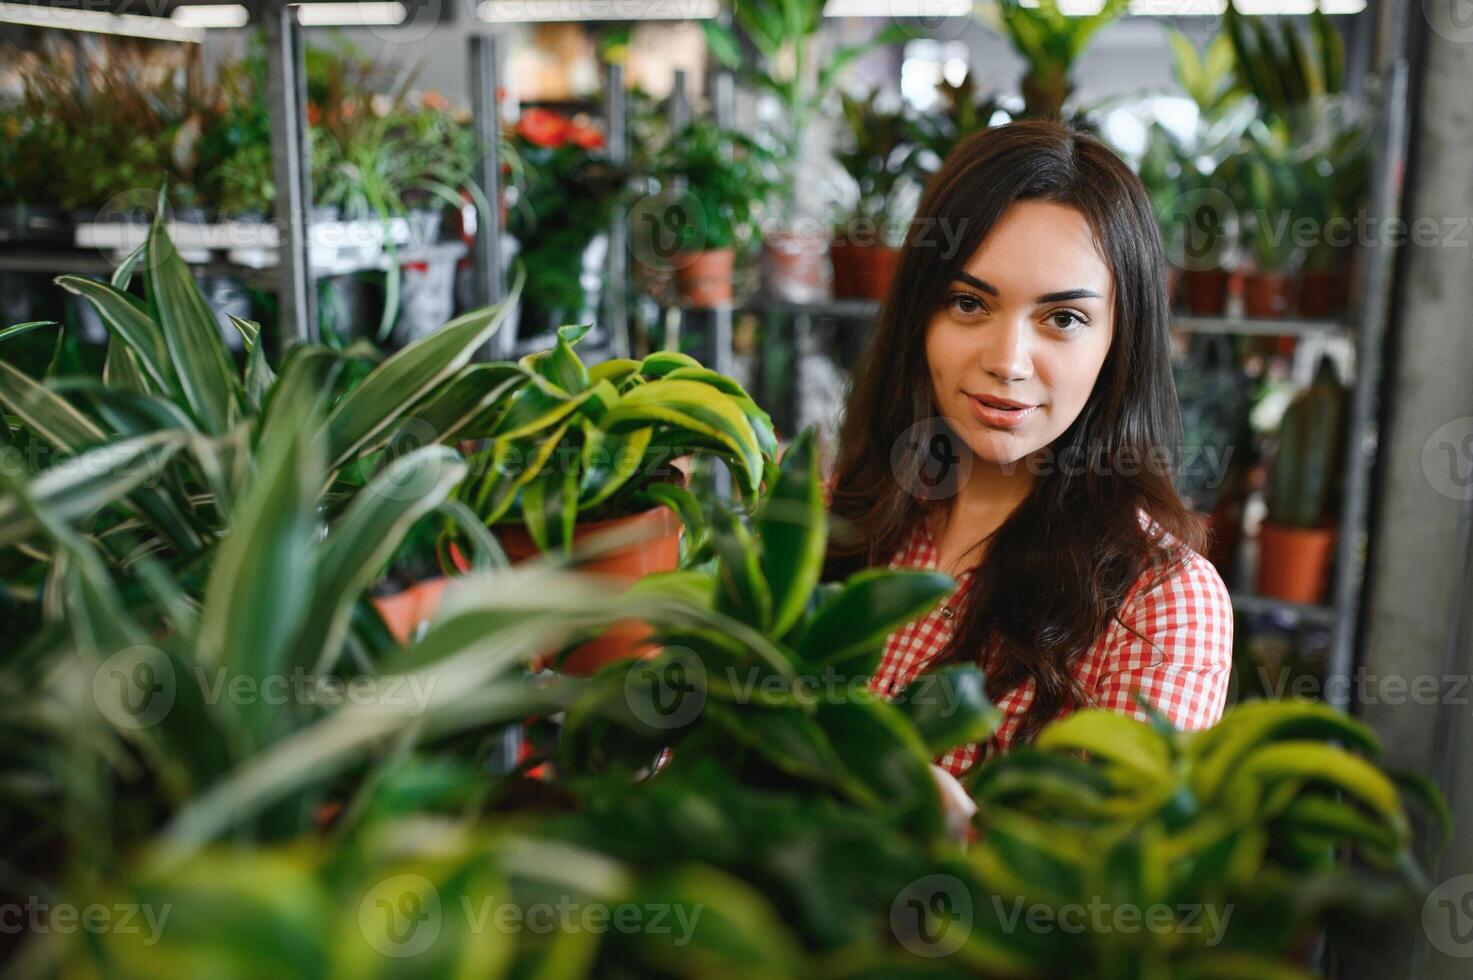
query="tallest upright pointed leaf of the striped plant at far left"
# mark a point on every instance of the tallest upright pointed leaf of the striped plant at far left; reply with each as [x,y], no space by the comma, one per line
[191,335]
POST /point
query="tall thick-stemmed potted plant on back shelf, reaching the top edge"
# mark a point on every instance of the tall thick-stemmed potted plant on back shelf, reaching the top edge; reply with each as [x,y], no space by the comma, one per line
[792,71]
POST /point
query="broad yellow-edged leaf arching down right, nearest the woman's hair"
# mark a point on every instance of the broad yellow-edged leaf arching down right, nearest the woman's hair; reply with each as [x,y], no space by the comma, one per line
[699,409]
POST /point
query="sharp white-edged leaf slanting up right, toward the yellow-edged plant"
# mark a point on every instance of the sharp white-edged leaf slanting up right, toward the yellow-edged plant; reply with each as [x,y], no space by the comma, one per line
[406,378]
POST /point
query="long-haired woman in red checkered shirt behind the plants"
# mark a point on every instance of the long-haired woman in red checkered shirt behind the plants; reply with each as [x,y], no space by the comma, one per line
[1016,427]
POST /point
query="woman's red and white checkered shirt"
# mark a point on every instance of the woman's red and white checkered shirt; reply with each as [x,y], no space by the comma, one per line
[1184,671]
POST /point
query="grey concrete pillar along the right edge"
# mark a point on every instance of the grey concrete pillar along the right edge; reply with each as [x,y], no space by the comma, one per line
[1419,605]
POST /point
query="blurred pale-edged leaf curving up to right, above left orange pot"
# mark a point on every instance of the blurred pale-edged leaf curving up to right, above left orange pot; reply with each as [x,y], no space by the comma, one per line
[363,542]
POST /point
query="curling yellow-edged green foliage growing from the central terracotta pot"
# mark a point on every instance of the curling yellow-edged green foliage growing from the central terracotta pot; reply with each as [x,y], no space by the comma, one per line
[566,443]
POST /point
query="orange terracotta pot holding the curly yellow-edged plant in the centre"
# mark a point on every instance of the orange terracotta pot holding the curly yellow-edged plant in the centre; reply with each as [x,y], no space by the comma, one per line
[656,549]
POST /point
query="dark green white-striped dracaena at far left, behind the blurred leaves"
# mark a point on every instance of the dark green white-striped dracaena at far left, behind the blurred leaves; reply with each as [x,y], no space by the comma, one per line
[186,427]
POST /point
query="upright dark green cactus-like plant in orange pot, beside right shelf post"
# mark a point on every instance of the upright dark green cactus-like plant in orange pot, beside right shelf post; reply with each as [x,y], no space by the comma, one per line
[1297,540]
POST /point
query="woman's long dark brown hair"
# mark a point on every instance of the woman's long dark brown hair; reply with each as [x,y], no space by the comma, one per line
[1058,570]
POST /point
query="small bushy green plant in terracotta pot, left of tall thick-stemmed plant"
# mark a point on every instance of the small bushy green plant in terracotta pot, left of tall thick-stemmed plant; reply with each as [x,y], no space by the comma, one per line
[727,176]
